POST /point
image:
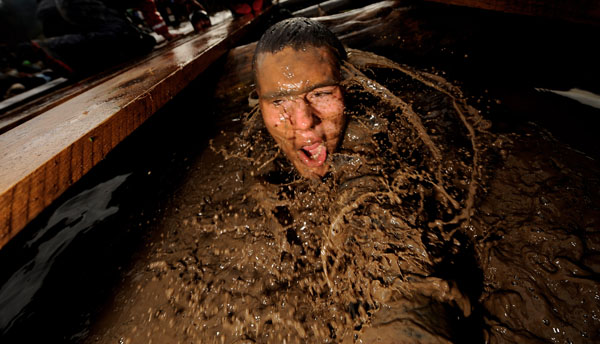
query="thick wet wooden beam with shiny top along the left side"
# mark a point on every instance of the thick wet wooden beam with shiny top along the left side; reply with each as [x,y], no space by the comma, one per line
[41,158]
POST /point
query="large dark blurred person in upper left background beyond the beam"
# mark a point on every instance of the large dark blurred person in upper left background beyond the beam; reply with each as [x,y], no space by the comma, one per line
[84,36]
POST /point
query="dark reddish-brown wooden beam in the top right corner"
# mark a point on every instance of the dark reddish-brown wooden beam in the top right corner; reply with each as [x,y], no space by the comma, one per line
[583,11]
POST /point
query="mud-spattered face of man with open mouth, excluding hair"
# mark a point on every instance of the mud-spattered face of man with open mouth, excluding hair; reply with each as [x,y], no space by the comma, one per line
[302,105]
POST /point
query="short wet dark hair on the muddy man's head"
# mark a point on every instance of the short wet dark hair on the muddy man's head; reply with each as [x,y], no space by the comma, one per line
[298,33]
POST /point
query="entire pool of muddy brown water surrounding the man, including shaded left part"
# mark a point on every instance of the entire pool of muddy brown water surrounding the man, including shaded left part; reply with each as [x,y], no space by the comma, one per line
[433,226]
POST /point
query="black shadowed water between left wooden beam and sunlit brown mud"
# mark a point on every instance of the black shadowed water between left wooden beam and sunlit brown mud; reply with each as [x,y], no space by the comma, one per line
[57,273]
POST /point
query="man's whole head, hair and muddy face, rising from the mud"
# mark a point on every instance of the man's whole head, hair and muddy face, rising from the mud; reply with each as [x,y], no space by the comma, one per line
[297,71]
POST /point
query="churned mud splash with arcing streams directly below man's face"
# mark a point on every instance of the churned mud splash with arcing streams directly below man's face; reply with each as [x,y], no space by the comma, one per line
[362,242]
